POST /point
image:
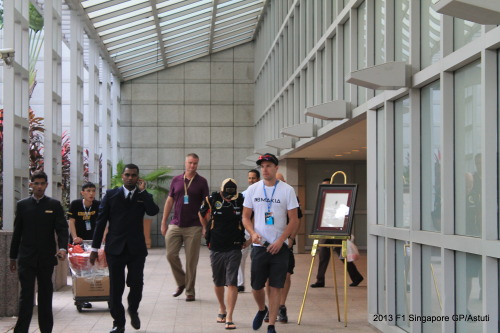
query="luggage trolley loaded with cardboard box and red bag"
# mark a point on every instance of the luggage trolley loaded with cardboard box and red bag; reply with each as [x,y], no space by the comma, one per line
[90,282]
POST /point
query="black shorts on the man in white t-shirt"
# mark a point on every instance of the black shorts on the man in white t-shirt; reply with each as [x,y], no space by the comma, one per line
[267,266]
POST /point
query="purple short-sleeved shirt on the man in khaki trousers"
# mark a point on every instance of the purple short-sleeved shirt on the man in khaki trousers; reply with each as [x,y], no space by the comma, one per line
[187,215]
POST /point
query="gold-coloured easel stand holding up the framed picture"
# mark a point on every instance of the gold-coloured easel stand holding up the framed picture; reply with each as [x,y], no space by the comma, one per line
[314,249]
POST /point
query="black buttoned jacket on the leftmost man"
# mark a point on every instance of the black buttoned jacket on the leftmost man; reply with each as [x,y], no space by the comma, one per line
[33,241]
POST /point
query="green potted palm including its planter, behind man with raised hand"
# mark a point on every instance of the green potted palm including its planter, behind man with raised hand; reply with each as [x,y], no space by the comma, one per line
[155,184]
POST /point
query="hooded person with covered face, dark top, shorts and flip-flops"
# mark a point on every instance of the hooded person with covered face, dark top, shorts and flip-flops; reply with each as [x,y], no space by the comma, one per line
[220,216]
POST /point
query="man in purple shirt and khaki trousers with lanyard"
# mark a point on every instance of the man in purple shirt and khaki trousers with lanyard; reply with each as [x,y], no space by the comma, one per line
[187,192]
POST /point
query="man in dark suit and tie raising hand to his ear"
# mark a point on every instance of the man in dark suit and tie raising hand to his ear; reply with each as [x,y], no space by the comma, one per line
[124,208]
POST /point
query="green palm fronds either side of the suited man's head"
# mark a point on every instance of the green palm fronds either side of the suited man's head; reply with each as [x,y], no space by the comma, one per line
[155,180]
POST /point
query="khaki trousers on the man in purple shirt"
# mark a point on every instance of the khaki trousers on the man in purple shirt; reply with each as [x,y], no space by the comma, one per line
[191,237]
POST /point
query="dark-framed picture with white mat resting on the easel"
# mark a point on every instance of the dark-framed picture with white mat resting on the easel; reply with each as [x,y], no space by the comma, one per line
[334,213]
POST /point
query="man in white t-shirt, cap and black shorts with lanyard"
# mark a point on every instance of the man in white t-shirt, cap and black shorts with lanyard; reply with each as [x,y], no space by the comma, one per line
[271,201]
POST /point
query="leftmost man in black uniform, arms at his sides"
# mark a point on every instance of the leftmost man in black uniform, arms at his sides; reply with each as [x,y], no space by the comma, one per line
[34,247]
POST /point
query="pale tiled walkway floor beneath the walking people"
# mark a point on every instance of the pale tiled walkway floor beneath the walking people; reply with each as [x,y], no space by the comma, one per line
[160,312]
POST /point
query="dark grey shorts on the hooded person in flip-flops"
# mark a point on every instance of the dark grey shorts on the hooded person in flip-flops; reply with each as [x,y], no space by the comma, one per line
[225,267]
